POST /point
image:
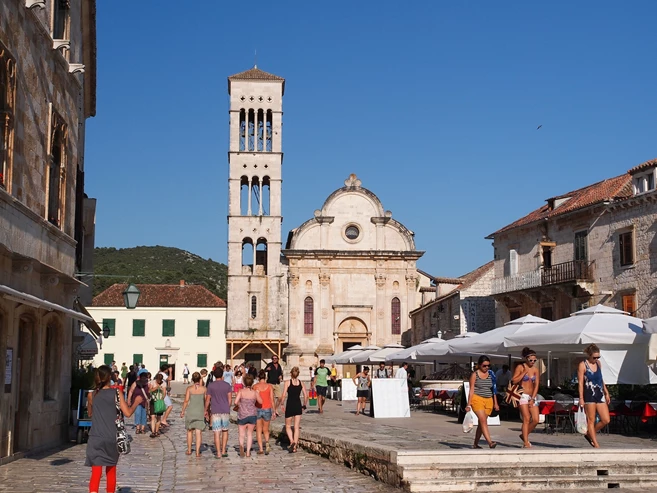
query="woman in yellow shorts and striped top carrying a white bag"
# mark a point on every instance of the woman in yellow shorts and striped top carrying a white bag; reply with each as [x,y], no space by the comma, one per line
[483,399]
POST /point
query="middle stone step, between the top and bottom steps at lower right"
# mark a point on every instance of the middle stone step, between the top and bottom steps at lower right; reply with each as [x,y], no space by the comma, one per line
[501,470]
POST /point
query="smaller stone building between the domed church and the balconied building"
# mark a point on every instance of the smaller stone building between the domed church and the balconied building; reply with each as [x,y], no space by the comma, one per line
[454,306]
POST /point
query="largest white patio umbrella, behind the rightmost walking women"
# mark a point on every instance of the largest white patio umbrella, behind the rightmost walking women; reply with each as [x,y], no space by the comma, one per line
[623,344]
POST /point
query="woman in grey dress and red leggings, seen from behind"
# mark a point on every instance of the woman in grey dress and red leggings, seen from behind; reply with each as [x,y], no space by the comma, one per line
[102,449]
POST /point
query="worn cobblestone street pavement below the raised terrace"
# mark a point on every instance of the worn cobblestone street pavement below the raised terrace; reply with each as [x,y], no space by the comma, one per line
[160,465]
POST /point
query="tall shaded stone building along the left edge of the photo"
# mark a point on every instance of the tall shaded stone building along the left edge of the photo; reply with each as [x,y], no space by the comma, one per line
[47,90]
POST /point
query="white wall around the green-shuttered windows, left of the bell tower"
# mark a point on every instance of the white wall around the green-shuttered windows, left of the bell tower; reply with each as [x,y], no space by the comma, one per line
[184,346]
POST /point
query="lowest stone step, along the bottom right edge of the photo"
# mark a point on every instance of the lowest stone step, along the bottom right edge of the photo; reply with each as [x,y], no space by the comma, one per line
[533,483]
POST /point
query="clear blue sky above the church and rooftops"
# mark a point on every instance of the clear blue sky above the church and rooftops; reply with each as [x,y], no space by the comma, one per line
[433,104]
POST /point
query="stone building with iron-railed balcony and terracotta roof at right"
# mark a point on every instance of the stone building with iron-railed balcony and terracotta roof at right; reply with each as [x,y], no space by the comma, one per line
[593,245]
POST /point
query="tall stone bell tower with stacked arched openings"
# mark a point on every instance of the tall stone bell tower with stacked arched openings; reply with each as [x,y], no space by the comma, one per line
[256,322]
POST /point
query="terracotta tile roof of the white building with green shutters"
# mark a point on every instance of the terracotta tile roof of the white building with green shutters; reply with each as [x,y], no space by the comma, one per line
[162,295]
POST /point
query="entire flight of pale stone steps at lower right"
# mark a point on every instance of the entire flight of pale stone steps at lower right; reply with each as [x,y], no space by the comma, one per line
[519,470]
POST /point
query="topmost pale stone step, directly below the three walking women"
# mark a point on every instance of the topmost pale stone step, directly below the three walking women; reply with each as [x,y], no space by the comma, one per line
[456,458]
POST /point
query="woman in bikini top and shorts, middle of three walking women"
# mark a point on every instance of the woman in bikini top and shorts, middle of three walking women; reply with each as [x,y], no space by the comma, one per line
[526,374]
